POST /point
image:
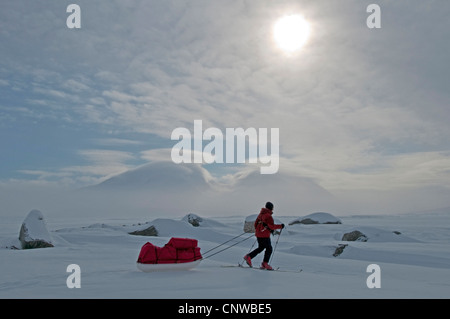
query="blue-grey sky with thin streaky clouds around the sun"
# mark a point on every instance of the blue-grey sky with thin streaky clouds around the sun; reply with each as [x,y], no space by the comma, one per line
[358,109]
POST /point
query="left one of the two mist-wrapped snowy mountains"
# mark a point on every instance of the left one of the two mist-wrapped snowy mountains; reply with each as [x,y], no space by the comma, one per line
[154,189]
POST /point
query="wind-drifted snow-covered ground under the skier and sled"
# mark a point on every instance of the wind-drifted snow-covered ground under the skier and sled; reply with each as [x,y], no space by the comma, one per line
[412,264]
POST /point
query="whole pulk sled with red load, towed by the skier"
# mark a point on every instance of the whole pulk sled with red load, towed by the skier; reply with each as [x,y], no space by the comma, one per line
[177,254]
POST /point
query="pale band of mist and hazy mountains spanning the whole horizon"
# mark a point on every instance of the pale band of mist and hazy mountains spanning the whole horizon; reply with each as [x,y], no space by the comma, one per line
[166,189]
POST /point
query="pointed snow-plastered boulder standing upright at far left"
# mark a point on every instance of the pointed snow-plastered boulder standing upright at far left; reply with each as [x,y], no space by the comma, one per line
[33,232]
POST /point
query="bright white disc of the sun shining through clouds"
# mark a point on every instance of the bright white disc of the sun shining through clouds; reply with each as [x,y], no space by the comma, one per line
[291,32]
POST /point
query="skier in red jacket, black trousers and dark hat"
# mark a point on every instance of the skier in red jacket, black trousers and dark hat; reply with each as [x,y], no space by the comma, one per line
[264,226]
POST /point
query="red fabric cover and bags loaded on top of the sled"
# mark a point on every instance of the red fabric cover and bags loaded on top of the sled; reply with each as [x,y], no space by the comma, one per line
[177,250]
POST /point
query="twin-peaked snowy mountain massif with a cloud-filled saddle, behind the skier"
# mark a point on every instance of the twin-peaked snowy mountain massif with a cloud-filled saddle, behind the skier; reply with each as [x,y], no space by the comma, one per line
[182,188]
